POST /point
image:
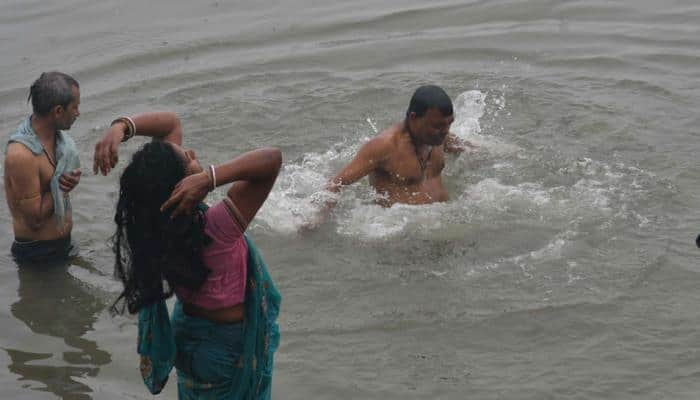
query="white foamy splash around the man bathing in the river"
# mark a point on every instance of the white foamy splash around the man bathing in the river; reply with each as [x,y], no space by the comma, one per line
[592,189]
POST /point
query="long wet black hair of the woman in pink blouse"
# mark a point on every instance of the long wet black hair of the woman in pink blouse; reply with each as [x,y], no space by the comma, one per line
[155,253]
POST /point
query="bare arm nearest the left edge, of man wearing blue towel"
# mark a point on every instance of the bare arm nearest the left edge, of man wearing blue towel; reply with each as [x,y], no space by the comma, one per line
[23,173]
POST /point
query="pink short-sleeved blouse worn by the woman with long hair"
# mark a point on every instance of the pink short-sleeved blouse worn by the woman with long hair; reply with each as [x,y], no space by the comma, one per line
[227,258]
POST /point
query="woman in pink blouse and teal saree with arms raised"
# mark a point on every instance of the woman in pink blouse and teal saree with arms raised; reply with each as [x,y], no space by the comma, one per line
[223,330]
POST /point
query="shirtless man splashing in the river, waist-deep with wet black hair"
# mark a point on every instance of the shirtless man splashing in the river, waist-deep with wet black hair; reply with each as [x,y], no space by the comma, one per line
[405,161]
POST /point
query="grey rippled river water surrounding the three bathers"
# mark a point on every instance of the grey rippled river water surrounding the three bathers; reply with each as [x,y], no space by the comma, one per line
[563,266]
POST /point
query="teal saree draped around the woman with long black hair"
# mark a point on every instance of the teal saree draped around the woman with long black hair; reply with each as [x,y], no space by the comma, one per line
[214,361]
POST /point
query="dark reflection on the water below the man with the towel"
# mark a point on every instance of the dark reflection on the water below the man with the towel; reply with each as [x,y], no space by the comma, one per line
[53,303]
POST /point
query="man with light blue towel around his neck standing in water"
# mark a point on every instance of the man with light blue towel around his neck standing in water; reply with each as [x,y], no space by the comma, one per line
[41,168]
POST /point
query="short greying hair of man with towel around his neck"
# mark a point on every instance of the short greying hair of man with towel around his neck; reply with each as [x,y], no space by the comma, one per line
[51,89]
